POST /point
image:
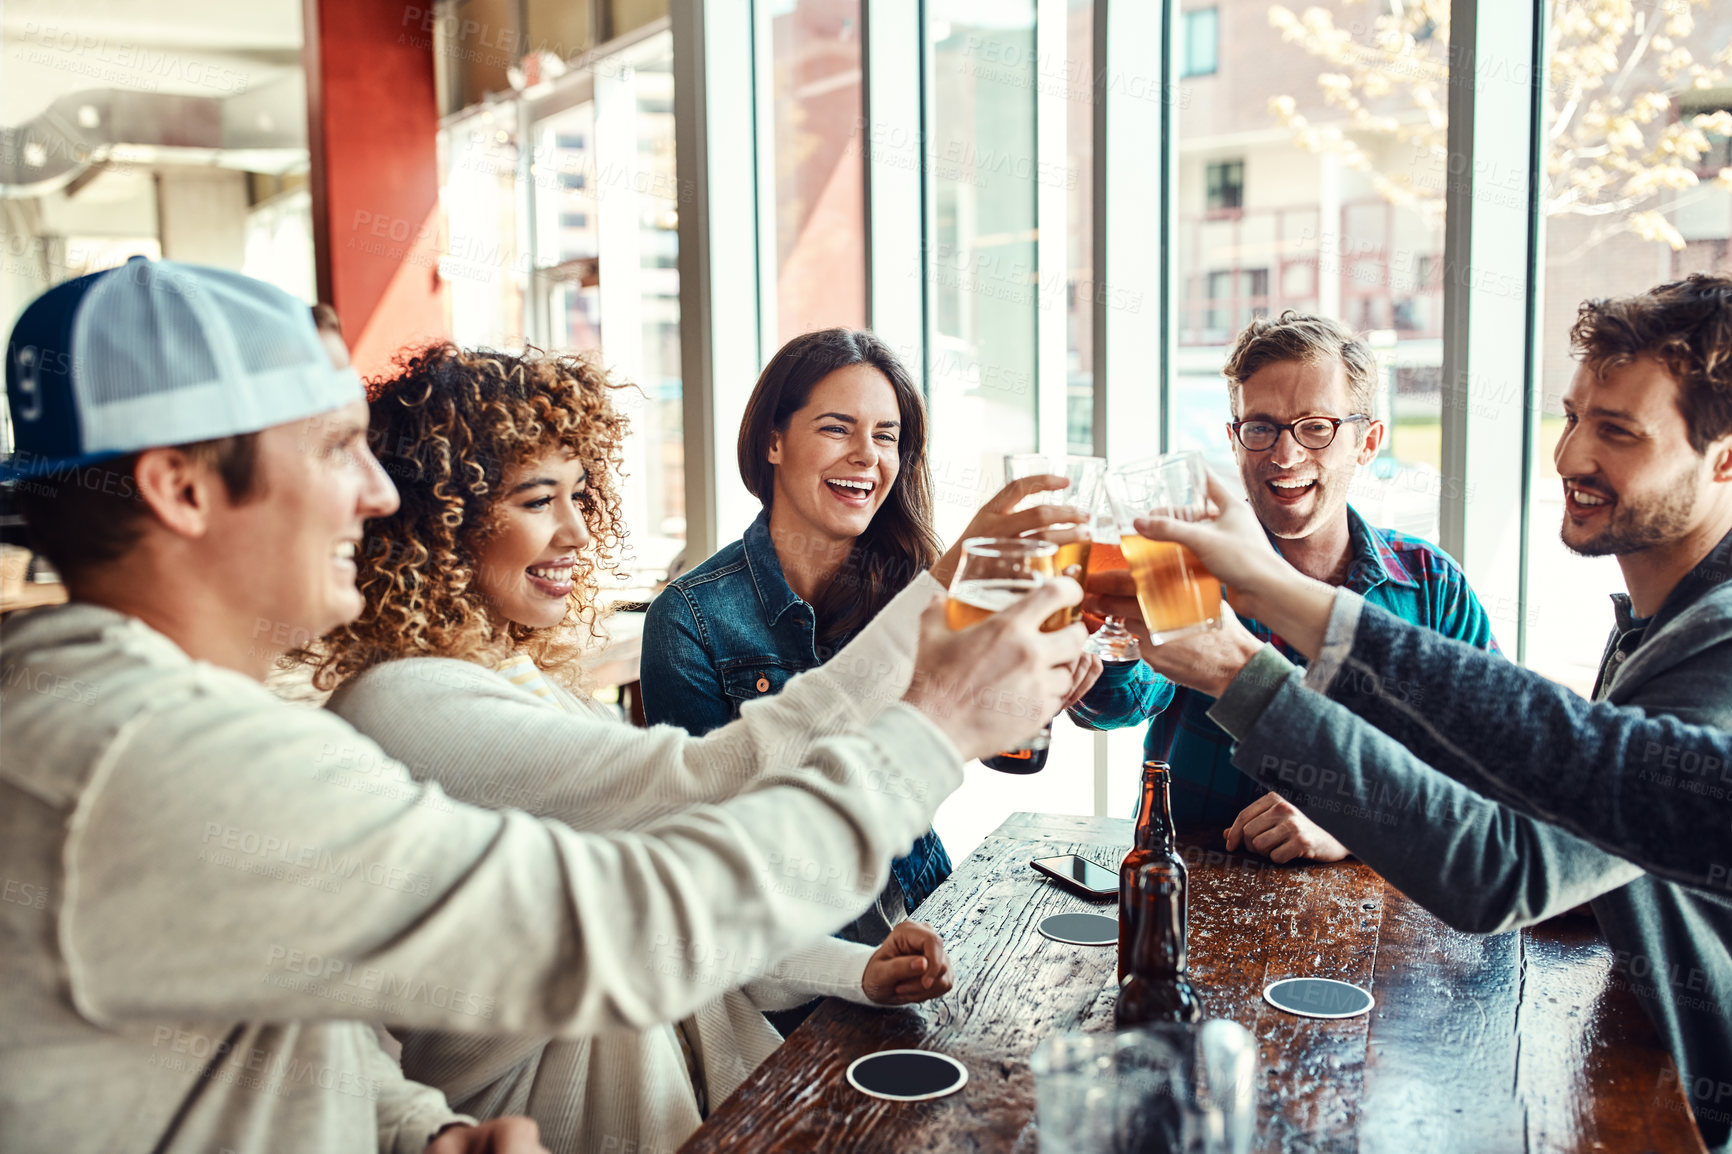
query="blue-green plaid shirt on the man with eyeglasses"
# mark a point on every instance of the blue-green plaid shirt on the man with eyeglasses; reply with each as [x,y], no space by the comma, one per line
[1402,574]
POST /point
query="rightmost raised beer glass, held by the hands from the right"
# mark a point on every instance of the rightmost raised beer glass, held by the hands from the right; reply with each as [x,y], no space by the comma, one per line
[1177,593]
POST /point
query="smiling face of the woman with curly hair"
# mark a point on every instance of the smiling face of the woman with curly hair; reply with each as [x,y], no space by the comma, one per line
[536,538]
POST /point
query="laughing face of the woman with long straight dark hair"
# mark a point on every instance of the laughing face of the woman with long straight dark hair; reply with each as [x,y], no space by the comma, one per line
[837,460]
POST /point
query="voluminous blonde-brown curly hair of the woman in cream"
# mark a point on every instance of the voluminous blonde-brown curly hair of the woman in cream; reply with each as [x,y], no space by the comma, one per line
[448,429]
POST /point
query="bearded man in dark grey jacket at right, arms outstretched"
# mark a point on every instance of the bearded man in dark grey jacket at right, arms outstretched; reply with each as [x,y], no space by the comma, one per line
[1648,472]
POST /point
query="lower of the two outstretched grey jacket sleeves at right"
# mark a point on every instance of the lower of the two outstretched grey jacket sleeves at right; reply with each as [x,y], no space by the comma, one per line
[1475,864]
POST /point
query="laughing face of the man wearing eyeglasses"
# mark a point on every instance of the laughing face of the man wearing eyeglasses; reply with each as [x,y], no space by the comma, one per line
[1298,491]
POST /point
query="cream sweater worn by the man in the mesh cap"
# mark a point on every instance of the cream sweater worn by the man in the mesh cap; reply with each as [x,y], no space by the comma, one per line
[209,891]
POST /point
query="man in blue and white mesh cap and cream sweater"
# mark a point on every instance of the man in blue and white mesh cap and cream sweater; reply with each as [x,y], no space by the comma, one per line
[195,914]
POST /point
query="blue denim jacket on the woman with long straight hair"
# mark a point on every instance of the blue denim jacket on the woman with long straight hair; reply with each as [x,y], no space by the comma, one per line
[732,630]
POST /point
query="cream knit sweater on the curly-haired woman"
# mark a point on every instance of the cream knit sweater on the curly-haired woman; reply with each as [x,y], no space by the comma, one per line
[474,730]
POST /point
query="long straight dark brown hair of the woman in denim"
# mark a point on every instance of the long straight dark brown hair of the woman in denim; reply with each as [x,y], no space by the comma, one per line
[900,541]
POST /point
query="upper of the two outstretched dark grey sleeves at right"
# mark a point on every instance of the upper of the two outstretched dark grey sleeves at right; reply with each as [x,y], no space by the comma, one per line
[1653,789]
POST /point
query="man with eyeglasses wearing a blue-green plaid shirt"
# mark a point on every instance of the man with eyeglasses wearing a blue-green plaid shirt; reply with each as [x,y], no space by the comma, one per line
[1303,394]
